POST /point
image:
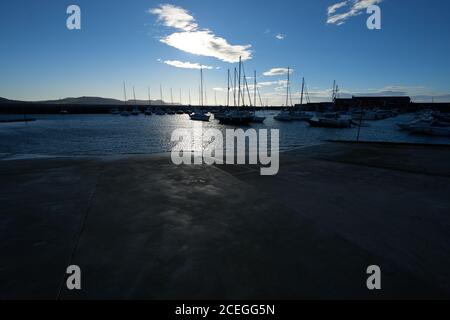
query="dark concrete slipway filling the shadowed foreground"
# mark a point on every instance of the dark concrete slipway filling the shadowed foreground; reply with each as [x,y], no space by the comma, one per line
[141,227]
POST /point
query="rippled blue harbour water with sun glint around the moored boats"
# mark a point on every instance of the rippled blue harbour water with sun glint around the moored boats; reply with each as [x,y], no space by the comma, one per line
[90,135]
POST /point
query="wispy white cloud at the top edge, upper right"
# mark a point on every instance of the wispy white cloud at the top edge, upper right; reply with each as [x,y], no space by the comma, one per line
[352,8]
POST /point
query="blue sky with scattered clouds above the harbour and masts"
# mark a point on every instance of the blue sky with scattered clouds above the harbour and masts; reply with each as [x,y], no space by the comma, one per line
[144,43]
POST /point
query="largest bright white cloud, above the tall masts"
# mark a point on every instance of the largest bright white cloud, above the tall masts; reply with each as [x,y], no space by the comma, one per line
[192,39]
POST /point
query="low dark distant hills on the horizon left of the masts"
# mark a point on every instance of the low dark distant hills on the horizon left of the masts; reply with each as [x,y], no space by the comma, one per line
[85,101]
